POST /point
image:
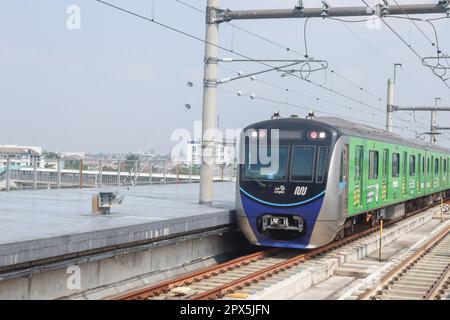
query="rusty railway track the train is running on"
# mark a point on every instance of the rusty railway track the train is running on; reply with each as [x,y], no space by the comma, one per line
[237,278]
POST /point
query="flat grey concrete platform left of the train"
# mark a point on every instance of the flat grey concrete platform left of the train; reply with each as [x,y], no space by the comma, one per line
[36,225]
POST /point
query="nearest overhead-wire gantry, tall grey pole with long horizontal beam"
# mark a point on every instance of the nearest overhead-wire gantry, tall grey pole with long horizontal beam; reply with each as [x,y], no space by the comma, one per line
[215,16]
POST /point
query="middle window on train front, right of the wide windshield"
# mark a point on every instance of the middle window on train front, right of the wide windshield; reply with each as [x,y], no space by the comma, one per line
[303,164]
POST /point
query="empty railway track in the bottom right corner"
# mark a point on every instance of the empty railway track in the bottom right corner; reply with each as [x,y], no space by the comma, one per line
[423,276]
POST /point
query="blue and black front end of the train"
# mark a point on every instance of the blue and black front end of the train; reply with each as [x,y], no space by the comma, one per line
[288,189]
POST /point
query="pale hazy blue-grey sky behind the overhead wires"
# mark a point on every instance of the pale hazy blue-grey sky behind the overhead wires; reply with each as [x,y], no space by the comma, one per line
[119,84]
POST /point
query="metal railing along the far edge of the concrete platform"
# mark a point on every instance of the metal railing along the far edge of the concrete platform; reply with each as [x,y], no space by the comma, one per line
[93,173]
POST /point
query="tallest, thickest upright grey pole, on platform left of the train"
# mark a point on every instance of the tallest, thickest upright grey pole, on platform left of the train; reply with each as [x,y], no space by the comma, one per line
[209,103]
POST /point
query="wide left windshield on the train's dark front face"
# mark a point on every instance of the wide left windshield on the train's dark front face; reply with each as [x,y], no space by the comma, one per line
[274,170]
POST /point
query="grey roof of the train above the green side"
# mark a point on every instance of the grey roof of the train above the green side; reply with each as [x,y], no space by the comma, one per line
[365,131]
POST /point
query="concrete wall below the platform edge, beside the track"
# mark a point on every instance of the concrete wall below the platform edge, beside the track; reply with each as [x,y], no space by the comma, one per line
[102,278]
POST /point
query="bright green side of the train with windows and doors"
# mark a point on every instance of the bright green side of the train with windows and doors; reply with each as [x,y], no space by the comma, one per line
[383,174]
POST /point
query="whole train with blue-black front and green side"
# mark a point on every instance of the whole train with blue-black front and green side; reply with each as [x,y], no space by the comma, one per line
[332,177]
